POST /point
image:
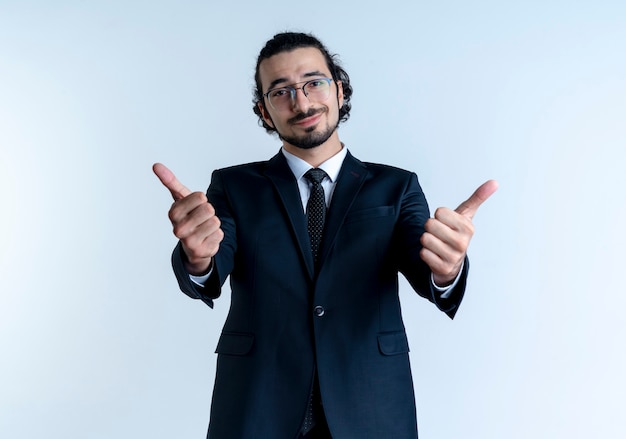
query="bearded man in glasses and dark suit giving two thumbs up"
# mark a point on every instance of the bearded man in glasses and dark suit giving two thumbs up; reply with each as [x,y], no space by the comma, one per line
[314,345]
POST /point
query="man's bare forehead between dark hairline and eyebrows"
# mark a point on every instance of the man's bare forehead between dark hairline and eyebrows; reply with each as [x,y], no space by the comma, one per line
[292,66]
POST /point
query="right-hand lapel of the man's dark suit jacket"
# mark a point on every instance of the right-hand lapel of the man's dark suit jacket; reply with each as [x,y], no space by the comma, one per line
[351,177]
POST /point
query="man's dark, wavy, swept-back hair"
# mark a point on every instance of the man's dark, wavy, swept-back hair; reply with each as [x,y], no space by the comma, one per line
[288,41]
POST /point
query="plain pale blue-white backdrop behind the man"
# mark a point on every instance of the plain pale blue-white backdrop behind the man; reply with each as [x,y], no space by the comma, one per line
[97,342]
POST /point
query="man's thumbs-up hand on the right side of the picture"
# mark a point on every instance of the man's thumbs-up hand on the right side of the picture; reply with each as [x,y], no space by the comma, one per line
[448,235]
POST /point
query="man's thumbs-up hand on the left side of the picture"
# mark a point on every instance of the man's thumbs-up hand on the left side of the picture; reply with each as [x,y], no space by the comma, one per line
[194,222]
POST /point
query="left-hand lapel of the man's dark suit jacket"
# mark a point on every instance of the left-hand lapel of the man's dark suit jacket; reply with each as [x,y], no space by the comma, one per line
[283,180]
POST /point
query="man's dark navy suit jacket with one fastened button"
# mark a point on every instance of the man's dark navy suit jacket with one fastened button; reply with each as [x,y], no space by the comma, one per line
[286,320]
